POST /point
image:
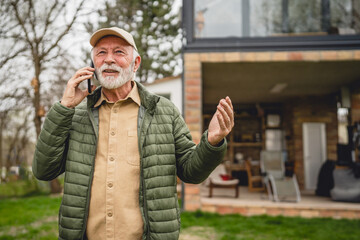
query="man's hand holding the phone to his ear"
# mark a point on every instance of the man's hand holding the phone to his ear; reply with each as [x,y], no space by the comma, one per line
[73,95]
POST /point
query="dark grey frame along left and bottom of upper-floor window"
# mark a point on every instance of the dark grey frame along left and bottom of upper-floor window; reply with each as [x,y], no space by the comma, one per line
[281,43]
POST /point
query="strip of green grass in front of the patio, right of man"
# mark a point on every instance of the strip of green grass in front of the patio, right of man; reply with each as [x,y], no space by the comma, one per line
[231,227]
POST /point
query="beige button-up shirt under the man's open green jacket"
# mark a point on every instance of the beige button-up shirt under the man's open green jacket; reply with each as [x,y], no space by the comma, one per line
[114,203]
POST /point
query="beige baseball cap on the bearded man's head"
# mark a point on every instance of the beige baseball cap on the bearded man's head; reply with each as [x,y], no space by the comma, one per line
[113,31]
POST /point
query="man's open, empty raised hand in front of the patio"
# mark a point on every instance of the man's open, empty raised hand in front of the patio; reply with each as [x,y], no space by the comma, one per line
[222,122]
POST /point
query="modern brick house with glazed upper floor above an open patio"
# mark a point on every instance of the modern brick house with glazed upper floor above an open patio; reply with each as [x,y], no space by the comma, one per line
[289,66]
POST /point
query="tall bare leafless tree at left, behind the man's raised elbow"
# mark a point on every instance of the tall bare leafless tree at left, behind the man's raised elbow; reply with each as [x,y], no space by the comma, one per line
[43,25]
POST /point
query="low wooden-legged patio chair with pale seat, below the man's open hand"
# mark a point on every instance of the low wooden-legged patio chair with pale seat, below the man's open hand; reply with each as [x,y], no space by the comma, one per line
[217,179]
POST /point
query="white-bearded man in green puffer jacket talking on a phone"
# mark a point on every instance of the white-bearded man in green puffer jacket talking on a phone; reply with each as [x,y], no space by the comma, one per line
[121,149]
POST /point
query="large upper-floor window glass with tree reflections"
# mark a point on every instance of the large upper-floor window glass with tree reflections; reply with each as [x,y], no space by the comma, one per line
[263,18]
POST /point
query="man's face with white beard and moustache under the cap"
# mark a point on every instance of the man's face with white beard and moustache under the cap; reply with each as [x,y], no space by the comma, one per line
[113,62]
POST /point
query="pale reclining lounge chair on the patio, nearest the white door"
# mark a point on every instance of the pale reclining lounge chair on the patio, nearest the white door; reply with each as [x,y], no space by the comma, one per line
[279,187]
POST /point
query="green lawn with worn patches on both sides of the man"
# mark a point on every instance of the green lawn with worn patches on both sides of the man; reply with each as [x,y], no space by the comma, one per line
[36,218]
